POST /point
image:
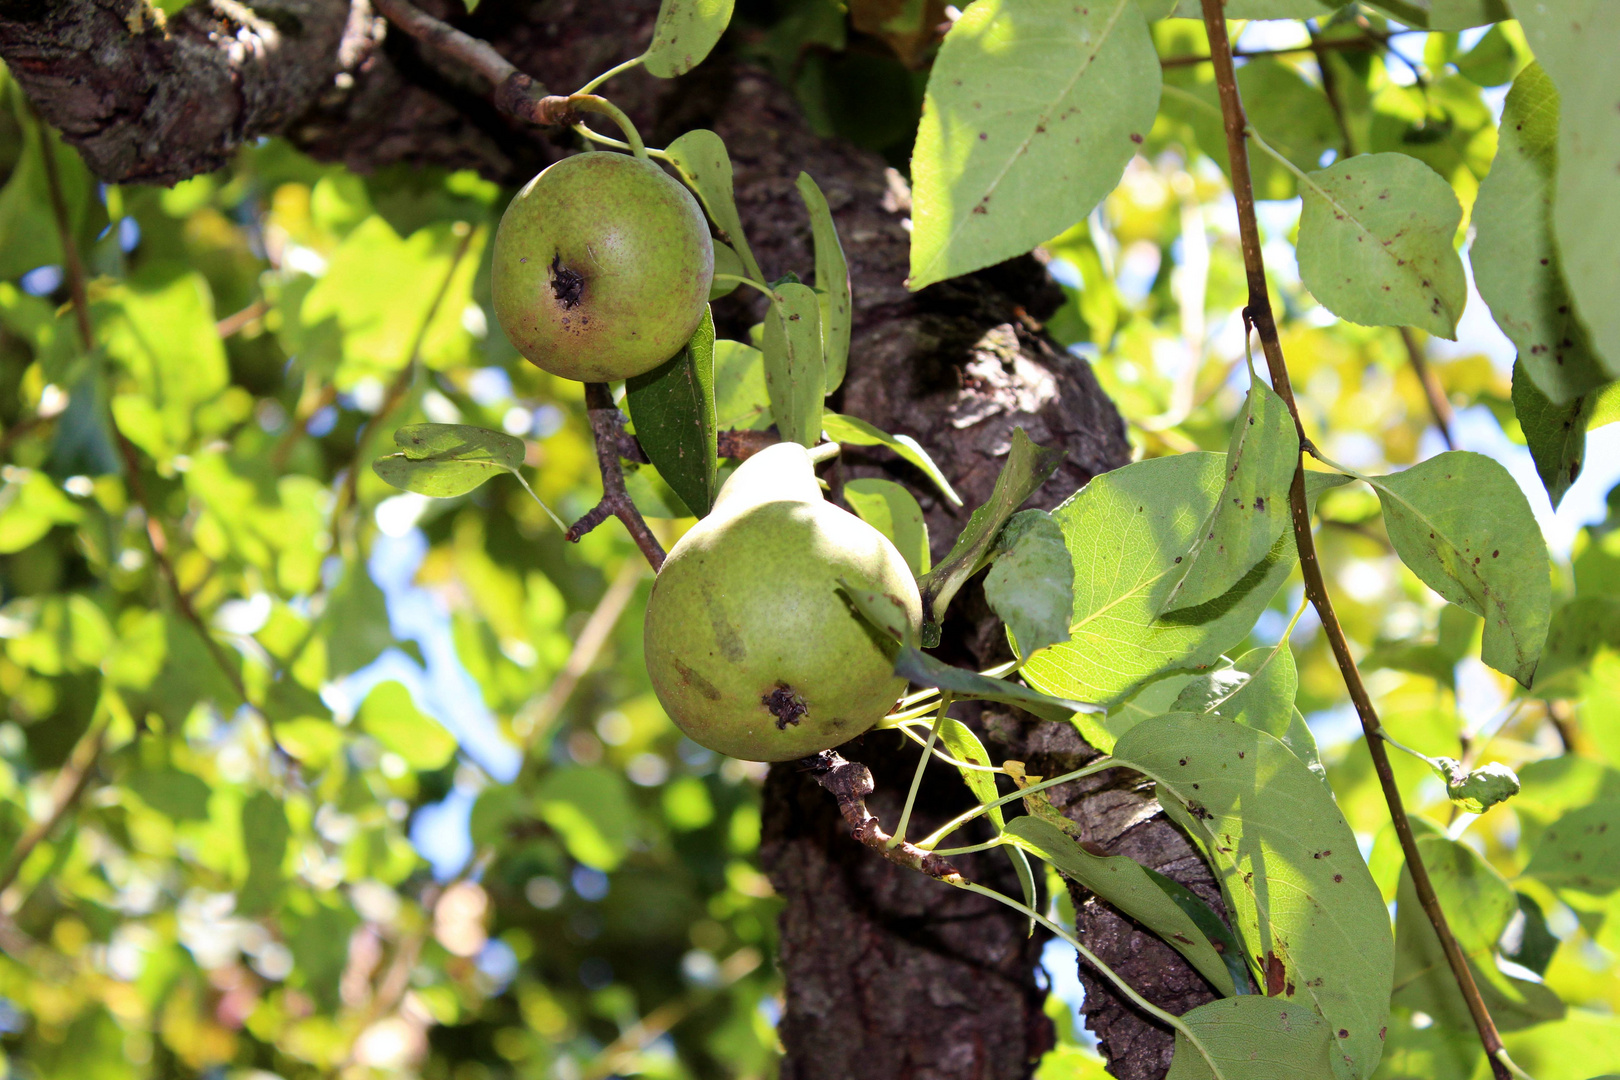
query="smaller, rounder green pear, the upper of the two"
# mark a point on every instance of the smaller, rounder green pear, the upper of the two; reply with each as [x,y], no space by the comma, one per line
[602,268]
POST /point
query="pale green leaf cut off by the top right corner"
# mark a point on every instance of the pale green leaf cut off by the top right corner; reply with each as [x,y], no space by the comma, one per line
[1574,45]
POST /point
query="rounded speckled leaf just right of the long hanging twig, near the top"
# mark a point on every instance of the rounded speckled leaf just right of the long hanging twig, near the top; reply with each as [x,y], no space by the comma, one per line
[1376,244]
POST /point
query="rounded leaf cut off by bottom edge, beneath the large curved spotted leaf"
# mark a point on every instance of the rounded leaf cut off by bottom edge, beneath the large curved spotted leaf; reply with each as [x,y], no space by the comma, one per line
[1256,1039]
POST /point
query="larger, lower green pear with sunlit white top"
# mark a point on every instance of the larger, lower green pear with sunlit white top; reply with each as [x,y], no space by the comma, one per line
[752,645]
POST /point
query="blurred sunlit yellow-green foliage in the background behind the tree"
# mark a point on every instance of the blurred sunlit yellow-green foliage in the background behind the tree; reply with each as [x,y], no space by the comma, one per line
[220,904]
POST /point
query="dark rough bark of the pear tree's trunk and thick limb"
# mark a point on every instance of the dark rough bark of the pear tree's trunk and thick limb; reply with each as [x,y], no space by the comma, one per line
[889,974]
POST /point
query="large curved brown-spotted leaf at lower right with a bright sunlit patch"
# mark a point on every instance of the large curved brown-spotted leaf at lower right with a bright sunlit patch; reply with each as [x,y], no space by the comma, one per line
[1298,891]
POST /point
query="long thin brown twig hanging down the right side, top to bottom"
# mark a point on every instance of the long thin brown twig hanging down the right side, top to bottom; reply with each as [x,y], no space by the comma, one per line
[1260,313]
